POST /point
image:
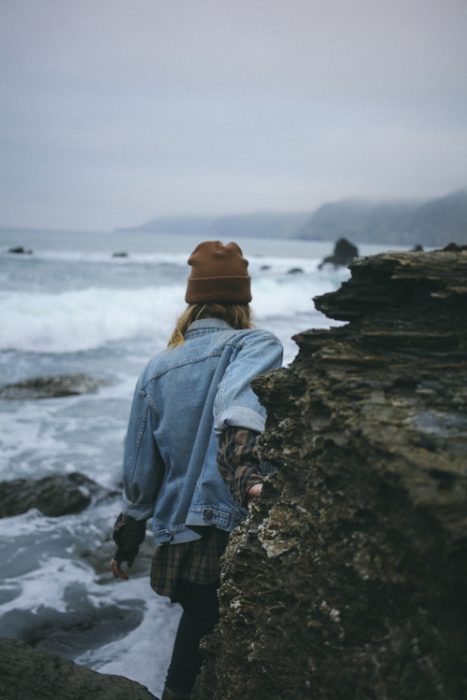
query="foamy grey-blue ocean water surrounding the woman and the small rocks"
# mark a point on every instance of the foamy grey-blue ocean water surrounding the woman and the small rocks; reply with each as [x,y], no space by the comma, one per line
[73,307]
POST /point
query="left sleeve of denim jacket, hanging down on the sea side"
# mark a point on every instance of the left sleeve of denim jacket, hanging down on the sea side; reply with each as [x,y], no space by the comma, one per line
[143,468]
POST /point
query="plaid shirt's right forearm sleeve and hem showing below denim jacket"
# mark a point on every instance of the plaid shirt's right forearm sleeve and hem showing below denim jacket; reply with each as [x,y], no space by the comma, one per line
[198,560]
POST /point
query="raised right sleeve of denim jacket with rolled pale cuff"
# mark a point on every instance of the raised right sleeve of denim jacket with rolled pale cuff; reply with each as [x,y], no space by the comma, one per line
[236,404]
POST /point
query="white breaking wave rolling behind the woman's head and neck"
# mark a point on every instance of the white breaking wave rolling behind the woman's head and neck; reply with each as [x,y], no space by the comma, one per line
[81,320]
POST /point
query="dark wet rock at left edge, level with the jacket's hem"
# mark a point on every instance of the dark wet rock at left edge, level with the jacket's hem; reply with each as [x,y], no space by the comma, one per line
[55,495]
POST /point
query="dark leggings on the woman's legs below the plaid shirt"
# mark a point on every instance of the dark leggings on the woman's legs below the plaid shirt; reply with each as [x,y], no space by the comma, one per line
[200,615]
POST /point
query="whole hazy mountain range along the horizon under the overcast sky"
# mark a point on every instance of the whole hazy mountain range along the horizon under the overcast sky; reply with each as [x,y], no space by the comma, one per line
[435,222]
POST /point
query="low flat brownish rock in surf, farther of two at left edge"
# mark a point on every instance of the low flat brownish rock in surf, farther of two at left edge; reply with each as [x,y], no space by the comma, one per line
[50,387]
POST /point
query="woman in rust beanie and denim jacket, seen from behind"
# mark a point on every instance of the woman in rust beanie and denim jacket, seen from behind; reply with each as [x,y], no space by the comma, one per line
[189,454]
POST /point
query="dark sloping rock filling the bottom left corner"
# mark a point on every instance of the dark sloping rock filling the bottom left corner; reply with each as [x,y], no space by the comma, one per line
[26,674]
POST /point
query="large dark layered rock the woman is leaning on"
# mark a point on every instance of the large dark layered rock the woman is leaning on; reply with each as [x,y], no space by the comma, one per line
[348,580]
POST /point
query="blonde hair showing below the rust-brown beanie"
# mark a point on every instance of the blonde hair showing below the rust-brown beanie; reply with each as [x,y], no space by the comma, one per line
[236,315]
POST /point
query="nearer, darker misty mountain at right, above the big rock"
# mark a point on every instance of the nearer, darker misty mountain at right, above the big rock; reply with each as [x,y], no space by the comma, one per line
[432,223]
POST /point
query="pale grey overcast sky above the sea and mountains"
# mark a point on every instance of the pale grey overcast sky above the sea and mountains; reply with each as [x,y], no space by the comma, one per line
[117,111]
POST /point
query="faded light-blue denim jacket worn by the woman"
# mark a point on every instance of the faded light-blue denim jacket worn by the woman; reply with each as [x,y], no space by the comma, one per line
[184,398]
